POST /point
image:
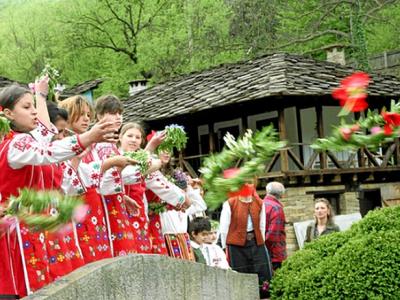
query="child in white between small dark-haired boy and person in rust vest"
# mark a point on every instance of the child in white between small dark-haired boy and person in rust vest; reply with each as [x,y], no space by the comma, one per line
[214,255]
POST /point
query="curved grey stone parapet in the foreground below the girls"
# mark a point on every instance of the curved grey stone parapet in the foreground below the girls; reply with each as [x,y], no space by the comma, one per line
[150,277]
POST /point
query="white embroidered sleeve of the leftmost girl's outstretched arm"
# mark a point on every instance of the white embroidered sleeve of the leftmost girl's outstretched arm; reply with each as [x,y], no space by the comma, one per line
[25,150]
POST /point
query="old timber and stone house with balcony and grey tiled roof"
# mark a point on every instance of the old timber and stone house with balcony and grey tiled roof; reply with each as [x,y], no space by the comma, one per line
[293,93]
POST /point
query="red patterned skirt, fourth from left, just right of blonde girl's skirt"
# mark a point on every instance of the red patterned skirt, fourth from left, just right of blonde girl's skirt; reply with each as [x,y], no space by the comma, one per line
[121,229]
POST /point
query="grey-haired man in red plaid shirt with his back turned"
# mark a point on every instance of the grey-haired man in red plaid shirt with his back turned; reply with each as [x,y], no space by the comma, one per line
[275,235]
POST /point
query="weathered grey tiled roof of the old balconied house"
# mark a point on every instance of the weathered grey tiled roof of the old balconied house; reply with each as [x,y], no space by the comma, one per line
[277,74]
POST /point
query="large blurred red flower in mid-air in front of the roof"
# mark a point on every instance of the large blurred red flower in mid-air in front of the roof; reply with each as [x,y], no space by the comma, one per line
[352,92]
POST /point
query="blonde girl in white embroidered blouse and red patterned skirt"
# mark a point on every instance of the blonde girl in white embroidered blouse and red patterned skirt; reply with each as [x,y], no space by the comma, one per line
[84,179]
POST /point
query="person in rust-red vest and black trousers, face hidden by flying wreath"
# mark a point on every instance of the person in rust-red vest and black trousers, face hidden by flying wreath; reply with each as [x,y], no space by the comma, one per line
[242,227]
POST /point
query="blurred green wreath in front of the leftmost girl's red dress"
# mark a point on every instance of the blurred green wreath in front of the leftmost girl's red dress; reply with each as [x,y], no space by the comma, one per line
[33,207]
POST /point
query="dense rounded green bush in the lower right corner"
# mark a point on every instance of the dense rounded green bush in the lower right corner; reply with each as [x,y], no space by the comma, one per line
[360,263]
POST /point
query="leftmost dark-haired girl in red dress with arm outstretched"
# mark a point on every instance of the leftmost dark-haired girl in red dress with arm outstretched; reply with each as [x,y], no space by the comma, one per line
[20,159]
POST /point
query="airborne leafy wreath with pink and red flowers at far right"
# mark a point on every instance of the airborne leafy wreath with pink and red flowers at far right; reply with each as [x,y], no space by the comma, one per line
[366,132]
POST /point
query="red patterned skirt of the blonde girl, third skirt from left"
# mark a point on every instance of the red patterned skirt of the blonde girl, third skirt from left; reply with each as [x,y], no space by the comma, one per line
[93,236]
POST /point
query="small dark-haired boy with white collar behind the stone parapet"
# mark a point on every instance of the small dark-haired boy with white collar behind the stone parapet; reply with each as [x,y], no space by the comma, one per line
[199,229]
